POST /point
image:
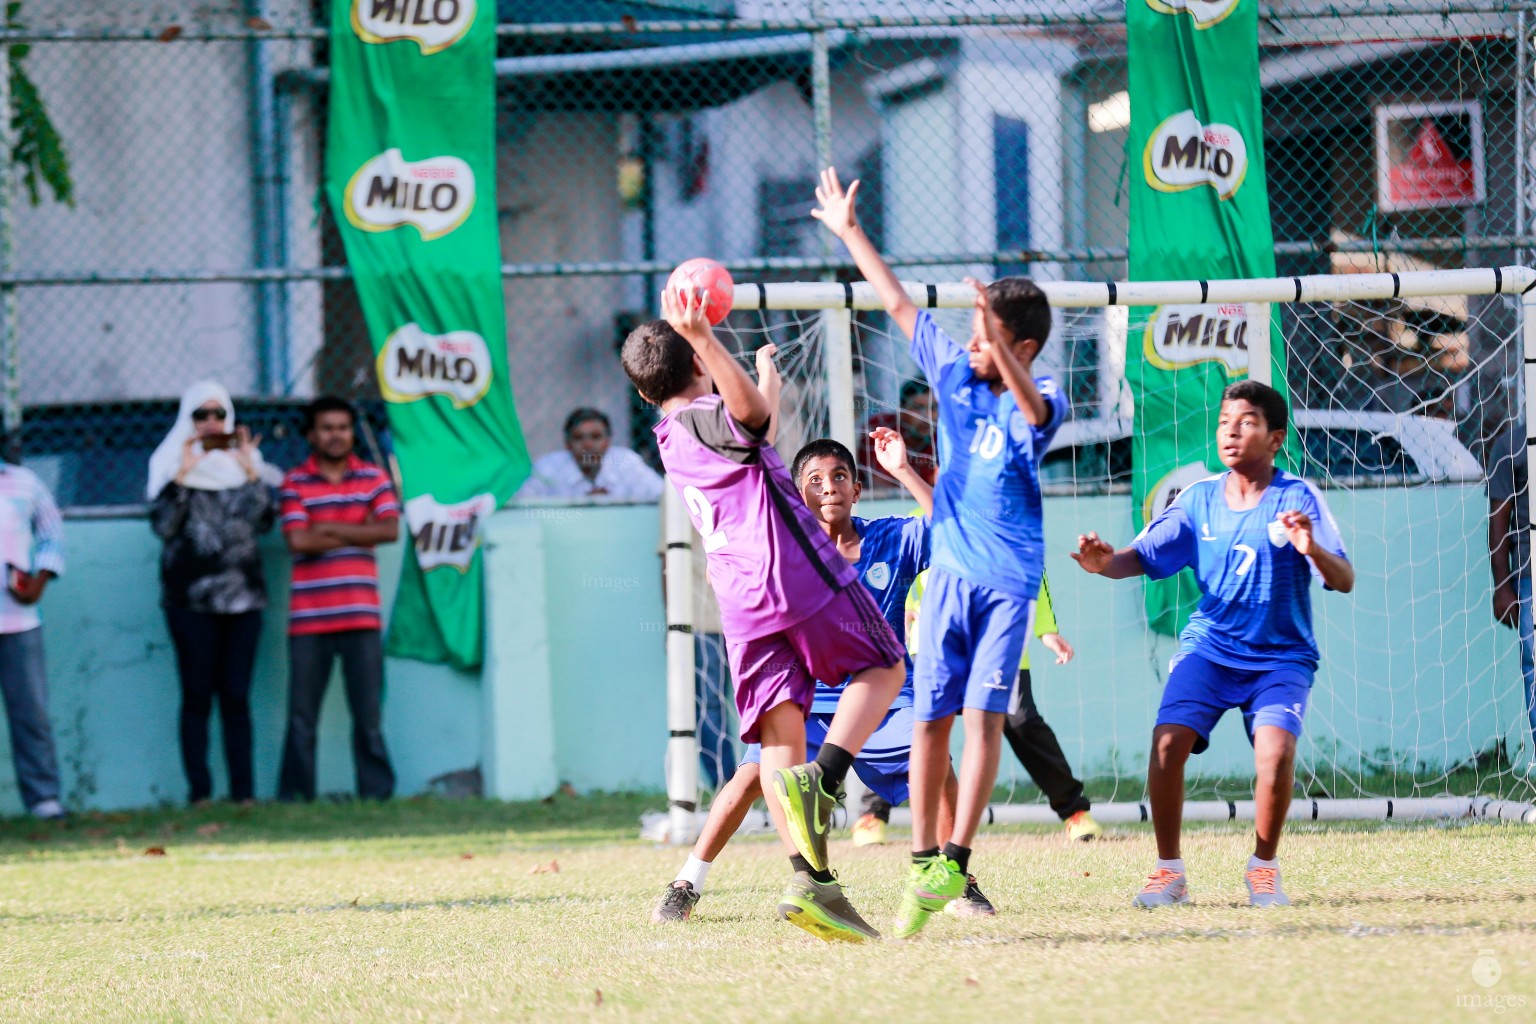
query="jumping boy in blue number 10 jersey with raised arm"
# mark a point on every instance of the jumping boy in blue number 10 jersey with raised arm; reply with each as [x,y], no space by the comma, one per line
[996,420]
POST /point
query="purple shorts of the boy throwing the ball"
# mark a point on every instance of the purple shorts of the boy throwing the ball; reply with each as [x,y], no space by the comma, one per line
[846,638]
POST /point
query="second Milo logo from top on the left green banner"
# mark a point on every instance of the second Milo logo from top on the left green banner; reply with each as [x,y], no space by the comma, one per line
[432,196]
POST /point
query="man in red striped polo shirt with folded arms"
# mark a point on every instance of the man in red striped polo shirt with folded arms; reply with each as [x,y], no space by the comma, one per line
[336,510]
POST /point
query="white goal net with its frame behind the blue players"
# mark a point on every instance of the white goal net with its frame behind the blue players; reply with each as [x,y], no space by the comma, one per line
[1408,406]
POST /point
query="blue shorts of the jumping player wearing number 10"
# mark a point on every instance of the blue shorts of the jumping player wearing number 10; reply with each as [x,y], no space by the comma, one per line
[970,644]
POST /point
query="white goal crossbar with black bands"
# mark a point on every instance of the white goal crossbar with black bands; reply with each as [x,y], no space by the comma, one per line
[1320,288]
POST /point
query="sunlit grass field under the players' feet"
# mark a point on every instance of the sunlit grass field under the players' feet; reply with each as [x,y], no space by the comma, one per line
[431,911]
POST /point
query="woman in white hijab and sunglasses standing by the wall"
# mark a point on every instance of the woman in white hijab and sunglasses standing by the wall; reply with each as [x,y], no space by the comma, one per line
[211,498]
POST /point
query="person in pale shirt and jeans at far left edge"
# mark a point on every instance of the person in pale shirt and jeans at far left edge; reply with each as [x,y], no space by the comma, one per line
[33,550]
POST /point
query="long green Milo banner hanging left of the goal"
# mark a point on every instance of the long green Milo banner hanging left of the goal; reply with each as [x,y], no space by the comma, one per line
[411,173]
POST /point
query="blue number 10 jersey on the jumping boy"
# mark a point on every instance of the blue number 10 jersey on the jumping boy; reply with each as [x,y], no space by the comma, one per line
[987,503]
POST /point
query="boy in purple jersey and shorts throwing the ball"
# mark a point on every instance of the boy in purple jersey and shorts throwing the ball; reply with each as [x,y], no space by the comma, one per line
[789,609]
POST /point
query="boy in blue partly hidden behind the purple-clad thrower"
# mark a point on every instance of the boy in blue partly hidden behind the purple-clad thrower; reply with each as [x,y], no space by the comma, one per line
[889,553]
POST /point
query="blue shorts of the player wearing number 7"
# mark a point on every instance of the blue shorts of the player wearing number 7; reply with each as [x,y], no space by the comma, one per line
[1200,692]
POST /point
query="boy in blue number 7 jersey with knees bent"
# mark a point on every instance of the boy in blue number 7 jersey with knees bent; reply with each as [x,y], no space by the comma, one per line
[1256,538]
